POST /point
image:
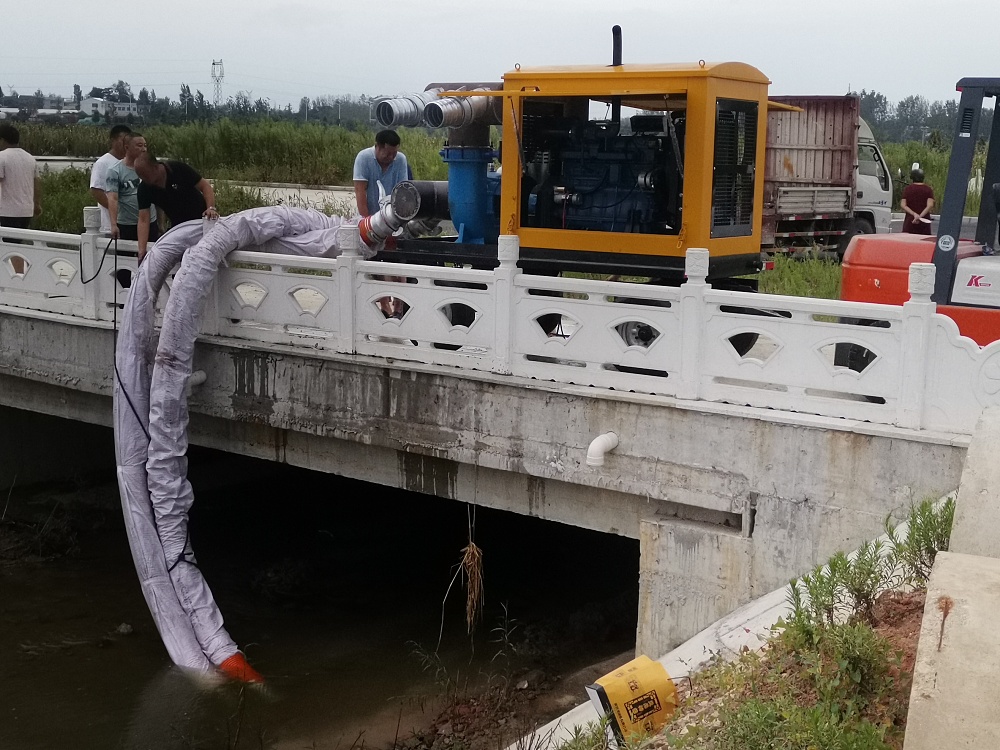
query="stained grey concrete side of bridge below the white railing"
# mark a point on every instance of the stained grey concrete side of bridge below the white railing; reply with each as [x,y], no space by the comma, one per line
[728,502]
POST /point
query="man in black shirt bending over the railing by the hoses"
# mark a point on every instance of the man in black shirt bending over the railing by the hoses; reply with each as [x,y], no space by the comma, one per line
[180,192]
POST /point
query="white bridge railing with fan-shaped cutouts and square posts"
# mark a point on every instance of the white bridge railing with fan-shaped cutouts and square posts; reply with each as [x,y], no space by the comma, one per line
[904,366]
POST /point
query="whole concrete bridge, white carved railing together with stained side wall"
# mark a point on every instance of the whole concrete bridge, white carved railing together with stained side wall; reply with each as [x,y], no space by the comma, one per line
[734,472]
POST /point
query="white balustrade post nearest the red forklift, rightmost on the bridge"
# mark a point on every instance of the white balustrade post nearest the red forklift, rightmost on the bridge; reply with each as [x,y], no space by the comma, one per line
[916,354]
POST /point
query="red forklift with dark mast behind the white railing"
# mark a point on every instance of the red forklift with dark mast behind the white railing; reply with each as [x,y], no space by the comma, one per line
[967,280]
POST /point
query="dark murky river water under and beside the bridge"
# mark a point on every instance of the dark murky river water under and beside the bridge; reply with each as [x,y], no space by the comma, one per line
[332,587]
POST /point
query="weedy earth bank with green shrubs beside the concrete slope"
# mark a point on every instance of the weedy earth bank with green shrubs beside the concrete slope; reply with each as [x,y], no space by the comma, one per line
[836,673]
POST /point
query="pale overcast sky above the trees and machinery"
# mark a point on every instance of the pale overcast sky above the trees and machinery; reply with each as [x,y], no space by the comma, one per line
[285,51]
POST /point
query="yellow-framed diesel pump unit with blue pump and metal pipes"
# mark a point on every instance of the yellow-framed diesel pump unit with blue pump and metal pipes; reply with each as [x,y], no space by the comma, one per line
[613,169]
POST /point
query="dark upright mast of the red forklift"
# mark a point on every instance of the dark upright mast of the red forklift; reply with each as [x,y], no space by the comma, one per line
[963,148]
